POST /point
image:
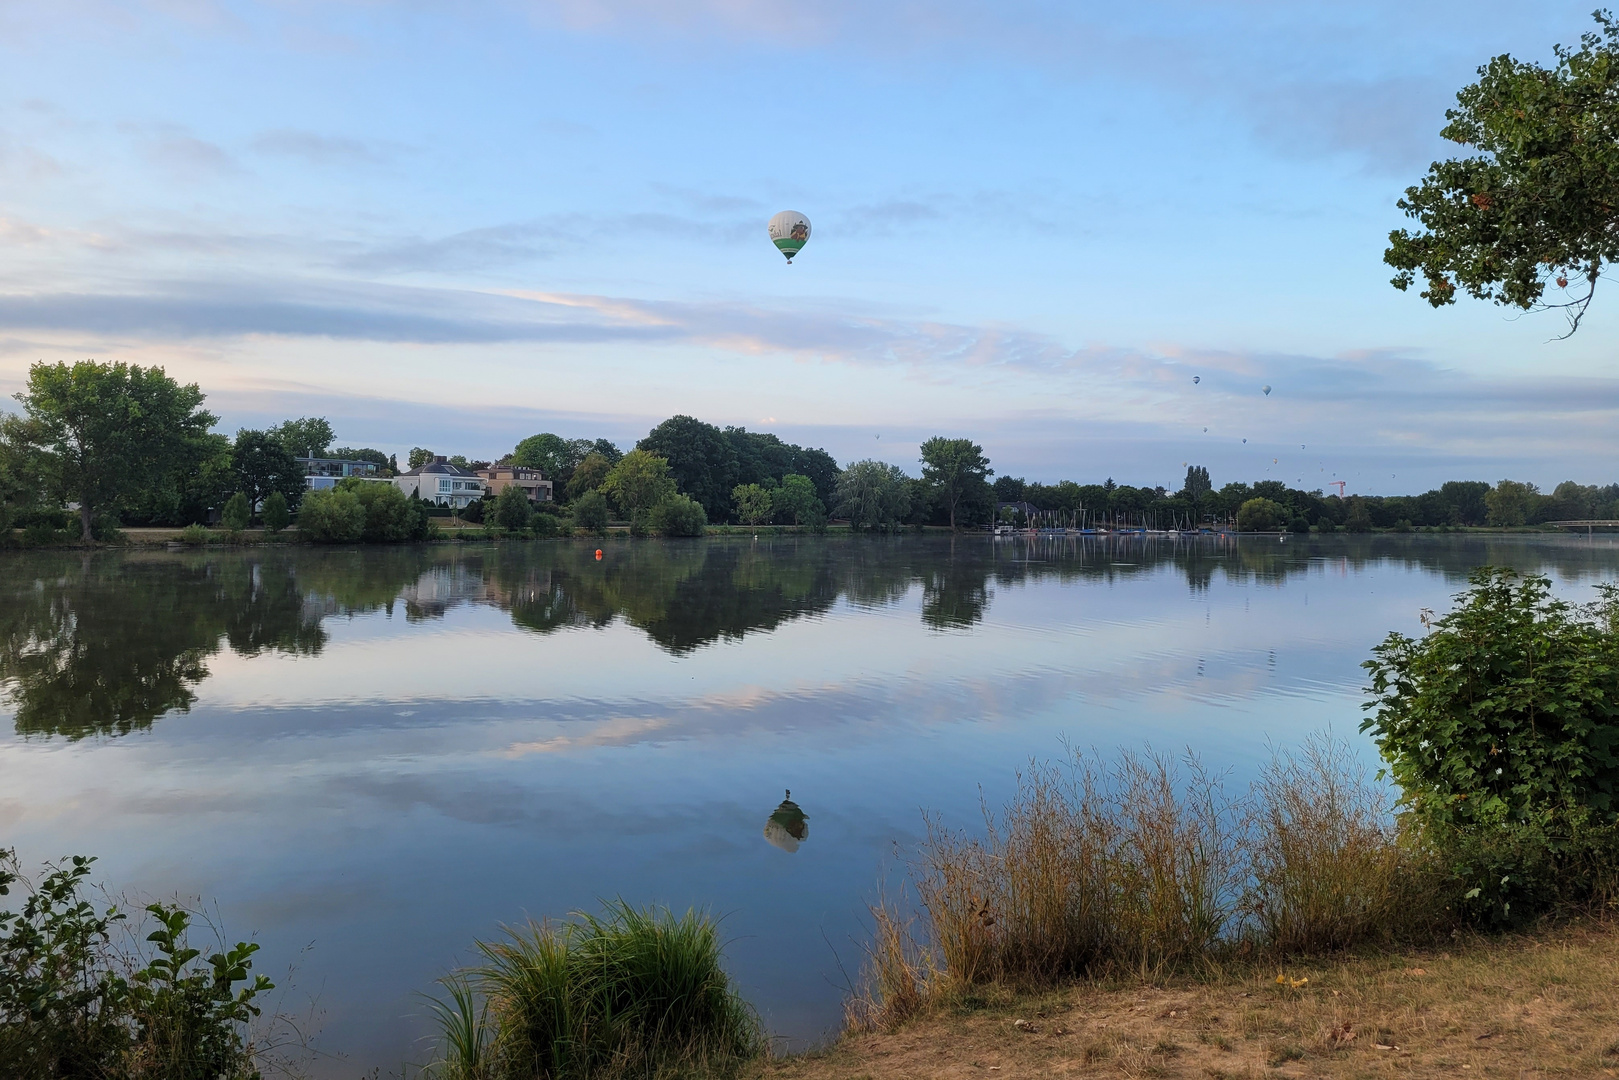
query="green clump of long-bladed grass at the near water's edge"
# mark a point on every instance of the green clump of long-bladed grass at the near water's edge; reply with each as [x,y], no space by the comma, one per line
[631,993]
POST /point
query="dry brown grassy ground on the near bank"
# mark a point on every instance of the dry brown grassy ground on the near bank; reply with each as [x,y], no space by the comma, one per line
[1529,1006]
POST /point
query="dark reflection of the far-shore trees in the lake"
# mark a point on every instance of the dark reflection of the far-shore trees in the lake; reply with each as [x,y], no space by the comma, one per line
[106,644]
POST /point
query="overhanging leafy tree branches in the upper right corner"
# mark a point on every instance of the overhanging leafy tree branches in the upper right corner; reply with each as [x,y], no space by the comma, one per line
[1539,206]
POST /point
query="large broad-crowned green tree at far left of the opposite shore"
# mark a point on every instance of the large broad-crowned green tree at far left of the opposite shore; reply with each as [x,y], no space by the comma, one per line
[108,432]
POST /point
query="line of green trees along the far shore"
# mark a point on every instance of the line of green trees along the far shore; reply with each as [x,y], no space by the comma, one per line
[106,448]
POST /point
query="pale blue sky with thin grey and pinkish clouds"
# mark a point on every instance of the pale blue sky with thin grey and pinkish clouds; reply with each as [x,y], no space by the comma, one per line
[1034,224]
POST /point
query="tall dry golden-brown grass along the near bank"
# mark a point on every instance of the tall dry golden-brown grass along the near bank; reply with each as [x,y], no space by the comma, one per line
[1147,867]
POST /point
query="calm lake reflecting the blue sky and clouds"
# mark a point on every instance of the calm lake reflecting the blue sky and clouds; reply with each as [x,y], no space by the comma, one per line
[368,759]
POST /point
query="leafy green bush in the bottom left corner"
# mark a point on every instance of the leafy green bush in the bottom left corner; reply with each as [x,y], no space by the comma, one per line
[75,1005]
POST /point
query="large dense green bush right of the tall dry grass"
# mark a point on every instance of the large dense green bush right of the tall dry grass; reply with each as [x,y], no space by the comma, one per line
[1502,728]
